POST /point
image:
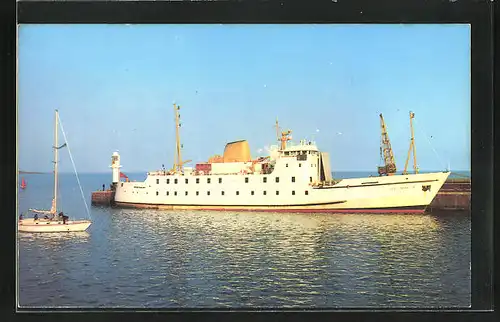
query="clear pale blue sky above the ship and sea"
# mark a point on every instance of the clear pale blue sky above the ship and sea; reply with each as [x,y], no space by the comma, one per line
[114,86]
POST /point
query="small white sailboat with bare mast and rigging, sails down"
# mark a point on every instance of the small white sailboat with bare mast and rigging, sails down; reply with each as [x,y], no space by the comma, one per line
[51,220]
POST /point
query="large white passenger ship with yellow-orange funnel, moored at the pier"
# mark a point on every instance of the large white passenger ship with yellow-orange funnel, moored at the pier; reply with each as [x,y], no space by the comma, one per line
[293,178]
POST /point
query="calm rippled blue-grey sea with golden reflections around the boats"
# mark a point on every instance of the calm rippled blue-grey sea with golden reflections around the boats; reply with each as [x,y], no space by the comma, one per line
[165,259]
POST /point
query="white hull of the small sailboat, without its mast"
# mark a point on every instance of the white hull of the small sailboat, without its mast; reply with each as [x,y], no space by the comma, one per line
[47,226]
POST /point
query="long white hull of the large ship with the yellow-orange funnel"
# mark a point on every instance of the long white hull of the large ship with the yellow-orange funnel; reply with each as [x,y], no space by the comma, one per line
[388,194]
